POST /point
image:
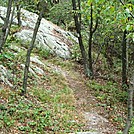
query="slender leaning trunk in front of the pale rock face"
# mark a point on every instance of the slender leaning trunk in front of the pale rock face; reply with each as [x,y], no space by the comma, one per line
[27,63]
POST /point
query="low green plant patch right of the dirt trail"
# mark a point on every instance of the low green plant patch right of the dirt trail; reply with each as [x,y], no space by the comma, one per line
[108,92]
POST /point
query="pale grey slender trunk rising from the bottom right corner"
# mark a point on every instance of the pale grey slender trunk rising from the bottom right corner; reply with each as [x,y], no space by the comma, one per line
[130,106]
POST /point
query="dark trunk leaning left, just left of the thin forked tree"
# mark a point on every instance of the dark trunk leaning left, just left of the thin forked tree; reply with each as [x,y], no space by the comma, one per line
[77,19]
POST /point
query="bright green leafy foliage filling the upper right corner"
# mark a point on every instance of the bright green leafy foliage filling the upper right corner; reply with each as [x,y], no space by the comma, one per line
[113,20]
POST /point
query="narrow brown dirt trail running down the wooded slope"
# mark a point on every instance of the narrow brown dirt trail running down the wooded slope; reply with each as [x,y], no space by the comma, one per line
[95,115]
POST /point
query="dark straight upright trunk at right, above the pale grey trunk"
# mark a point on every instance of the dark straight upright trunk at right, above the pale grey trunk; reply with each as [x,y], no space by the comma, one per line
[124,61]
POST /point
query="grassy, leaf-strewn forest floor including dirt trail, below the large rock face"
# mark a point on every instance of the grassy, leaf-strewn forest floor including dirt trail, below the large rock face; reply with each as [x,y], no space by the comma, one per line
[63,101]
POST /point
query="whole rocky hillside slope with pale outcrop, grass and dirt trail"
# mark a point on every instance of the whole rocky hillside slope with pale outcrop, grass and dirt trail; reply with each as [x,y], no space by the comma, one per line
[59,99]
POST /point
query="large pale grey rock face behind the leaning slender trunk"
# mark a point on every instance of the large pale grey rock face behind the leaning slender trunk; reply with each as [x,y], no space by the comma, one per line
[50,36]
